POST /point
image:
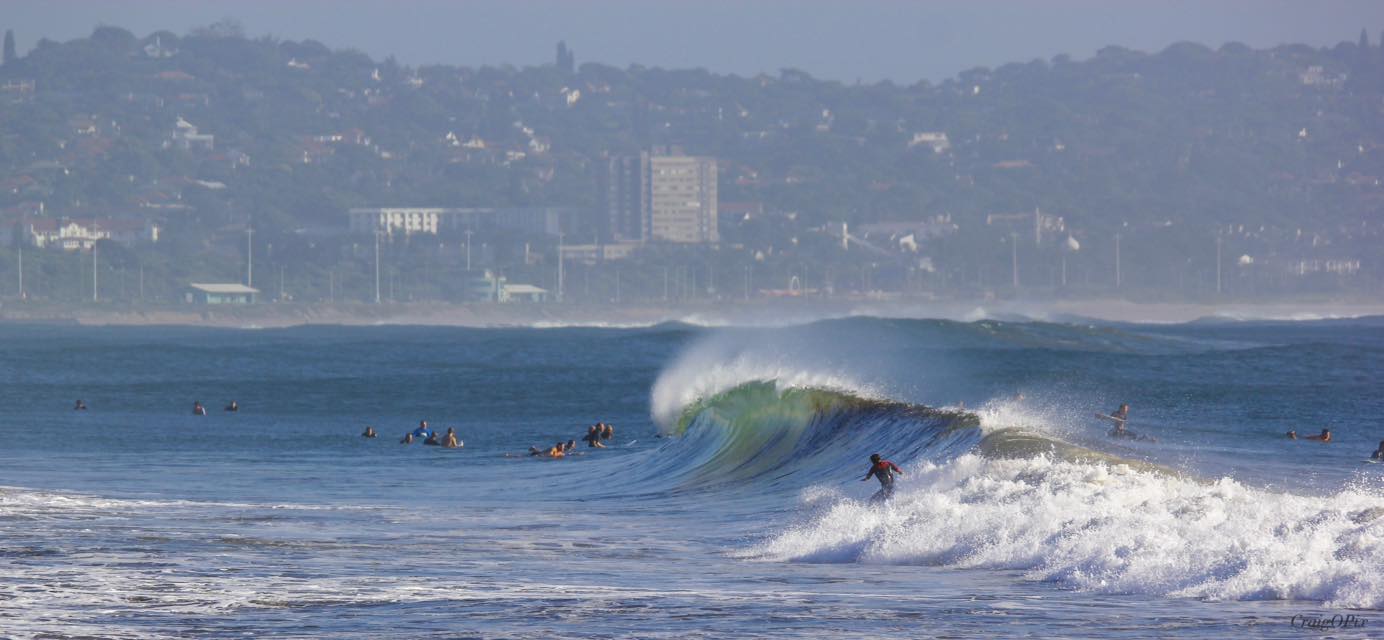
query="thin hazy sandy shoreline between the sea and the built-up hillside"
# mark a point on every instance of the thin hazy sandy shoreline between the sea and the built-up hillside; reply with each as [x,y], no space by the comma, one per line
[755,314]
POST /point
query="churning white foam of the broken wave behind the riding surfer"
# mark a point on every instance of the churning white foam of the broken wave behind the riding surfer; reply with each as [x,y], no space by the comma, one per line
[1109,530]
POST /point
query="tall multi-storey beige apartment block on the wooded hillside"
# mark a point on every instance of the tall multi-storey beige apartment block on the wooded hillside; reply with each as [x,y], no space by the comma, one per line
[661,197]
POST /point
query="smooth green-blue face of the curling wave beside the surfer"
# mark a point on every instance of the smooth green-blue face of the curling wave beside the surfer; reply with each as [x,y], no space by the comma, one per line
[765,437]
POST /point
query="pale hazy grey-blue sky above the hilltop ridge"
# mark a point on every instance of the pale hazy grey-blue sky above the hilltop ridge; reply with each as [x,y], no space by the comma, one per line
[846,41]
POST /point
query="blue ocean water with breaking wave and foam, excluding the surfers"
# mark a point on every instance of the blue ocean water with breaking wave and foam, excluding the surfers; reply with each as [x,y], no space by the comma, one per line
[729,504]
